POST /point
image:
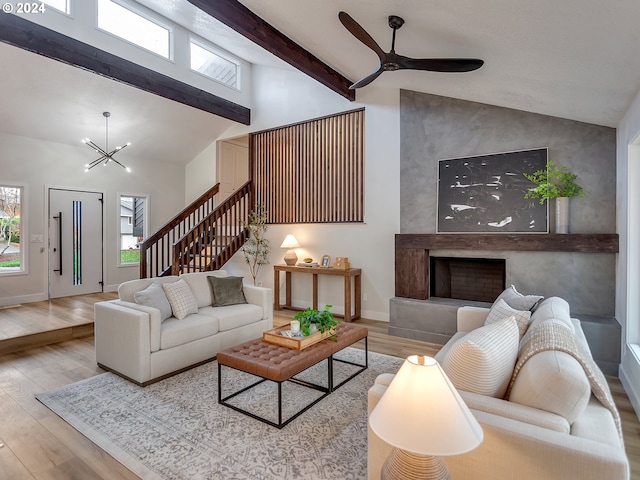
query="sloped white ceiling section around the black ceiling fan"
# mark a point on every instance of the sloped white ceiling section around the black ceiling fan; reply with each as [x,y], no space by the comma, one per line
[576,59]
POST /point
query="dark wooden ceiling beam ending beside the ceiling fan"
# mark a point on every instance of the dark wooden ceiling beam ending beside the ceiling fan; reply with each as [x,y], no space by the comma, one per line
[238,17]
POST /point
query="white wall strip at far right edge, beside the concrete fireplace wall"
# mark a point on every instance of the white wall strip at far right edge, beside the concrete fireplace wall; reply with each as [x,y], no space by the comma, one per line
[628,273]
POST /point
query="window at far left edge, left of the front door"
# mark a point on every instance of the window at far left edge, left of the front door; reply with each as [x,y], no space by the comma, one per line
[12,243]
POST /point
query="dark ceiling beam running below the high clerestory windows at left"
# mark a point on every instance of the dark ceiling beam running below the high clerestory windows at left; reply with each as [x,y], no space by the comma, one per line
[43,41]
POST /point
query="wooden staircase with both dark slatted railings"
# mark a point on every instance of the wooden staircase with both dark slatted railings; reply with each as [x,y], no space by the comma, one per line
[202,237]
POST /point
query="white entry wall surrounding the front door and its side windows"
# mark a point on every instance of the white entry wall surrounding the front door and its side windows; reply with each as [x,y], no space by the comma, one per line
[40,164]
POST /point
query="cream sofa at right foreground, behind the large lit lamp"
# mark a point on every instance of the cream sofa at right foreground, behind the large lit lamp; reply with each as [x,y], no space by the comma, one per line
[556,432]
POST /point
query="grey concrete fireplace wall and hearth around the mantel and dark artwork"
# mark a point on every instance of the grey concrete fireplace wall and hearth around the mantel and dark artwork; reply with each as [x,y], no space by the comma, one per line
[434,128]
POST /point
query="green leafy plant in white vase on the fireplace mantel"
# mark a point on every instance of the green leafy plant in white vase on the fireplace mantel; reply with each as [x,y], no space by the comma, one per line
[555,183]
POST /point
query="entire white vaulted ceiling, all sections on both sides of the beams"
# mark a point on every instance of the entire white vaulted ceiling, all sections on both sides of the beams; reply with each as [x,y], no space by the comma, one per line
[575,59]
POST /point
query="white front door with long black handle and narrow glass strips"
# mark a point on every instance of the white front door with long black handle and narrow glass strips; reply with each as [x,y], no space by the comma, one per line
[75,242]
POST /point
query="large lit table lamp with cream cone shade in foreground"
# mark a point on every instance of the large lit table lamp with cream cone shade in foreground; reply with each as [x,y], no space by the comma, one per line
[422,415]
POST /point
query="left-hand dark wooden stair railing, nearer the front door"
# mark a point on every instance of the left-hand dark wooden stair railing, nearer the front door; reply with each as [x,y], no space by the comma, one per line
[156,250]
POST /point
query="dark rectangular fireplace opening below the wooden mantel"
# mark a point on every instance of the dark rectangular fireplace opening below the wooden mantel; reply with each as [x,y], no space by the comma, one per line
[479,279]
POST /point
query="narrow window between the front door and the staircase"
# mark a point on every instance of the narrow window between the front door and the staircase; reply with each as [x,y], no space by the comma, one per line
[133,227]
